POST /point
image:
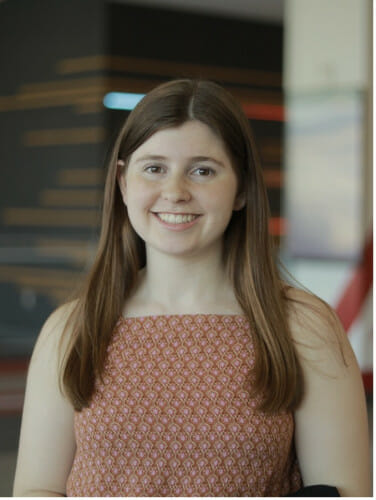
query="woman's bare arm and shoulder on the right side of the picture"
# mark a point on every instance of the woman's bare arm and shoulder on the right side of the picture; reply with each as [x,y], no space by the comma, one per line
[331,433]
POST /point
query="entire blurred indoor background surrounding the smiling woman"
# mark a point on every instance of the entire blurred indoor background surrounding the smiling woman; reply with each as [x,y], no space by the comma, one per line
[301,69]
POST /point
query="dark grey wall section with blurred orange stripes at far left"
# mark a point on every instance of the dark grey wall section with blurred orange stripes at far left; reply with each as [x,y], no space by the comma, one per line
[37,98]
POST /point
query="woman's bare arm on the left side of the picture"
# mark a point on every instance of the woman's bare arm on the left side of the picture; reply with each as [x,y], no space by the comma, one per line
[47,444]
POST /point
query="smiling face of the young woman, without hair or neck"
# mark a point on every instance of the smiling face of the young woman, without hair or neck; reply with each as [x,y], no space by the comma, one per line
[180,190]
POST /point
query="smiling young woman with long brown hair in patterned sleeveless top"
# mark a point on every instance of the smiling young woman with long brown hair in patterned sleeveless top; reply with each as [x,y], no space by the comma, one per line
[187,366]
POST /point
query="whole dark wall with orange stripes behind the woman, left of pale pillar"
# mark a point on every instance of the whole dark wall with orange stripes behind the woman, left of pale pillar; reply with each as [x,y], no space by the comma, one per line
[58,60]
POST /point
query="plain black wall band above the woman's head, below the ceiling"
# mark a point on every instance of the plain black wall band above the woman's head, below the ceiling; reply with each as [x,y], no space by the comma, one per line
[191,38]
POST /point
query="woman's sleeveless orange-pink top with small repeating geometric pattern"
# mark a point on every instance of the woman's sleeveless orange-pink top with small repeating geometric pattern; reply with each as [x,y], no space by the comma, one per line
[174,416]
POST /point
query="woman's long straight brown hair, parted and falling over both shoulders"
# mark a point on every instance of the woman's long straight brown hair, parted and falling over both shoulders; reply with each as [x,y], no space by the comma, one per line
[248,251]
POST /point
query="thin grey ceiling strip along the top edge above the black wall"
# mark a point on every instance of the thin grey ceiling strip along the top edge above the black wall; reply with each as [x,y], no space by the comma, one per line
[259,10]
